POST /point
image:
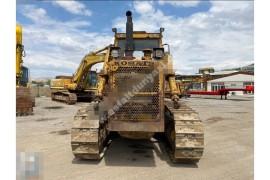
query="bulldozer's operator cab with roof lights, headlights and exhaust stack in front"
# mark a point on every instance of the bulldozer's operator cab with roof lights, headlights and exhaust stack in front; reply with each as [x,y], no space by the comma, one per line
[138,45]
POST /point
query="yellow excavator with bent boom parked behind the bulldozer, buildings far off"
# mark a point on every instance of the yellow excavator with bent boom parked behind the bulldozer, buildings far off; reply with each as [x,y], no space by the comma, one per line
[83,84]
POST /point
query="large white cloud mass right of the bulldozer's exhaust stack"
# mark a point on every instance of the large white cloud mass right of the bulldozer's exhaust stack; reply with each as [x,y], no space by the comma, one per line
[221,37]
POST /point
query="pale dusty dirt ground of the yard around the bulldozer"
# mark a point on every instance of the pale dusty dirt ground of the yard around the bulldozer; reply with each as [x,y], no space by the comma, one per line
[228,154]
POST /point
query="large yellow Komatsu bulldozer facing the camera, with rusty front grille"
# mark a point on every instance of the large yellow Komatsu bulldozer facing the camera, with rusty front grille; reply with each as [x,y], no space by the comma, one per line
[135,70]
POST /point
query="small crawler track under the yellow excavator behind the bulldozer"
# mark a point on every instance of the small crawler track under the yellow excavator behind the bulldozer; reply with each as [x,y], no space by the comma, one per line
[64,96]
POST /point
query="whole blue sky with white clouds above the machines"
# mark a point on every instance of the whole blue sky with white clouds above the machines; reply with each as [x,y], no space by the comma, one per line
[57,34]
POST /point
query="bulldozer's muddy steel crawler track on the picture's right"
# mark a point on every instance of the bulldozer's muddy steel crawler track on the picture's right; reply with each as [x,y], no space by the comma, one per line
[184,131]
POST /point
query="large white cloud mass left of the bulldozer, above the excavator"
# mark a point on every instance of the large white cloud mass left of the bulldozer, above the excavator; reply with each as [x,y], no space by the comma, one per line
[55,47]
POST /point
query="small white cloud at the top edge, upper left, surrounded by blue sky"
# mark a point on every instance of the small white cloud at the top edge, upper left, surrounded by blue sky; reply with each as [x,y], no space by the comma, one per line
[73,7]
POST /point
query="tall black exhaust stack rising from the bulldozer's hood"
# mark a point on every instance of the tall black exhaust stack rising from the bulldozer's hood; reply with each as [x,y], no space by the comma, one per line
[129,37]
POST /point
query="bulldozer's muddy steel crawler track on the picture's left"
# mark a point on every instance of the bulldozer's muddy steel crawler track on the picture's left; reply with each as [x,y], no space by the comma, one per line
[89,137]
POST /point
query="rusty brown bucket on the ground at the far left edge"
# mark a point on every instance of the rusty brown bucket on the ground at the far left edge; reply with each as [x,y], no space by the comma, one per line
[24,105]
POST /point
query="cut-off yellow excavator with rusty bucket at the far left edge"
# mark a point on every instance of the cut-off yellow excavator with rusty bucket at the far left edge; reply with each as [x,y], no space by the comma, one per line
[24,100]
